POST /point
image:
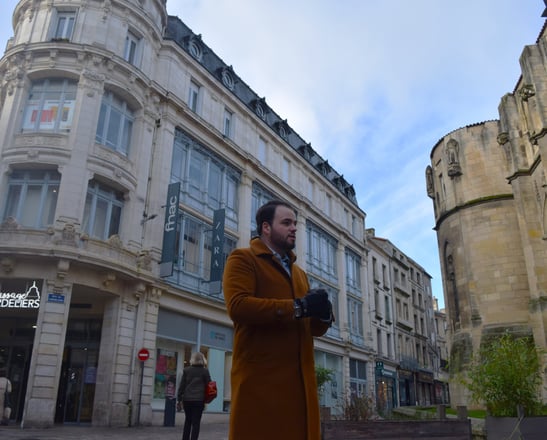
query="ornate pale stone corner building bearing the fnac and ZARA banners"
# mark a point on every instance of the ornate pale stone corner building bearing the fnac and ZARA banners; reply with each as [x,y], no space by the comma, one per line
[125,142]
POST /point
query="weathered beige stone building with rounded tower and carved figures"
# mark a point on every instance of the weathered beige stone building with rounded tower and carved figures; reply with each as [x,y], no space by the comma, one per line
[489,189]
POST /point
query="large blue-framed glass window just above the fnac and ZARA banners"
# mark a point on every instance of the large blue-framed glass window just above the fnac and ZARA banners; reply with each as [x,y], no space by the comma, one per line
[208,183]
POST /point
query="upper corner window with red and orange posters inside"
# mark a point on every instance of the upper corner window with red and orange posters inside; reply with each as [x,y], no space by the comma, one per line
[50,106]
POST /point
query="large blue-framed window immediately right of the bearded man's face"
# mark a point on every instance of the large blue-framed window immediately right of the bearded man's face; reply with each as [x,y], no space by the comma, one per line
[321,253]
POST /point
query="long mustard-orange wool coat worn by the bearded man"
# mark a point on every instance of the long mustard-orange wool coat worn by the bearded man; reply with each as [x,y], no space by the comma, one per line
[274,390]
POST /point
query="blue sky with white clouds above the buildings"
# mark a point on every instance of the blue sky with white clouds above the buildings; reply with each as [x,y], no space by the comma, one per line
[372,85]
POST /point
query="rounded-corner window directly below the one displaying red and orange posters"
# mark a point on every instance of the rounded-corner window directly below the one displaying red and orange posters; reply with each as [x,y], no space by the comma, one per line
[32,197]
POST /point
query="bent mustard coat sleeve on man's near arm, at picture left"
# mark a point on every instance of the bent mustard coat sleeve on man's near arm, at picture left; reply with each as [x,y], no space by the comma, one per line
[240,287]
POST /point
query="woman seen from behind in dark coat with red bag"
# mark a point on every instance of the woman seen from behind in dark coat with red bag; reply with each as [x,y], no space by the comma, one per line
[192,394]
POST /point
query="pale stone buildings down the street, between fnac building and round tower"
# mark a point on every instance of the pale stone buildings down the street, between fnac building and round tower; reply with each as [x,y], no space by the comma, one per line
[406,323]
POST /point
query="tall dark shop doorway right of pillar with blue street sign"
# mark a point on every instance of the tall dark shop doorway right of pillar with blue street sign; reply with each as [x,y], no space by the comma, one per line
[78,372]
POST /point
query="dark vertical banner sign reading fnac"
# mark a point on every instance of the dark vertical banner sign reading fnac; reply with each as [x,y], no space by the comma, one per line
[170,230]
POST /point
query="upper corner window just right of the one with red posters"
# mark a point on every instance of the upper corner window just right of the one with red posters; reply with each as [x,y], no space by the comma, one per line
[115,124]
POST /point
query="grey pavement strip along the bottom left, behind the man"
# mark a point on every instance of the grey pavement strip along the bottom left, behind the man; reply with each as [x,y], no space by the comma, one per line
[213,427]
